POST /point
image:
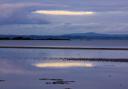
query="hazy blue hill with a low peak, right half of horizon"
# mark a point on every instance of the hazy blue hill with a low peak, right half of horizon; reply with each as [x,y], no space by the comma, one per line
[92,35]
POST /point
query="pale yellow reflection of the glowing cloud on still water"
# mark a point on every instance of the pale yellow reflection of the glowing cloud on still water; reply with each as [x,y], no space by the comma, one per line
[63,64]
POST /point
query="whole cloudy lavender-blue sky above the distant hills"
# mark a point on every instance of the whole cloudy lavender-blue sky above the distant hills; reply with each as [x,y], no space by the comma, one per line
[55,17]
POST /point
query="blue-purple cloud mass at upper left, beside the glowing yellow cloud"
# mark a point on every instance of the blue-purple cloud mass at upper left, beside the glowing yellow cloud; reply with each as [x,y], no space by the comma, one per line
[20,13]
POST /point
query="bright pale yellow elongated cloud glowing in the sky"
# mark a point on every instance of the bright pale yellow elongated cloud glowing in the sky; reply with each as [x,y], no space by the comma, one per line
[64,12]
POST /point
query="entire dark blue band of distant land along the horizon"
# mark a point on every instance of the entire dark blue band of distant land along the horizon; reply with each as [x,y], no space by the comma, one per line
[73,36]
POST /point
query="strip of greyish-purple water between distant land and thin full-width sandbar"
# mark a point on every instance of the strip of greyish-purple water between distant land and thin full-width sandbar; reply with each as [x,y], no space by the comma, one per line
[74,43]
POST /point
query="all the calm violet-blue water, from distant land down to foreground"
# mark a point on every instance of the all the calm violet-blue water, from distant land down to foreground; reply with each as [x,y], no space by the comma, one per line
[23,68]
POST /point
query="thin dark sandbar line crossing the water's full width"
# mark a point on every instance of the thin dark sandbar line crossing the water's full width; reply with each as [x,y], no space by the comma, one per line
[63,47]
